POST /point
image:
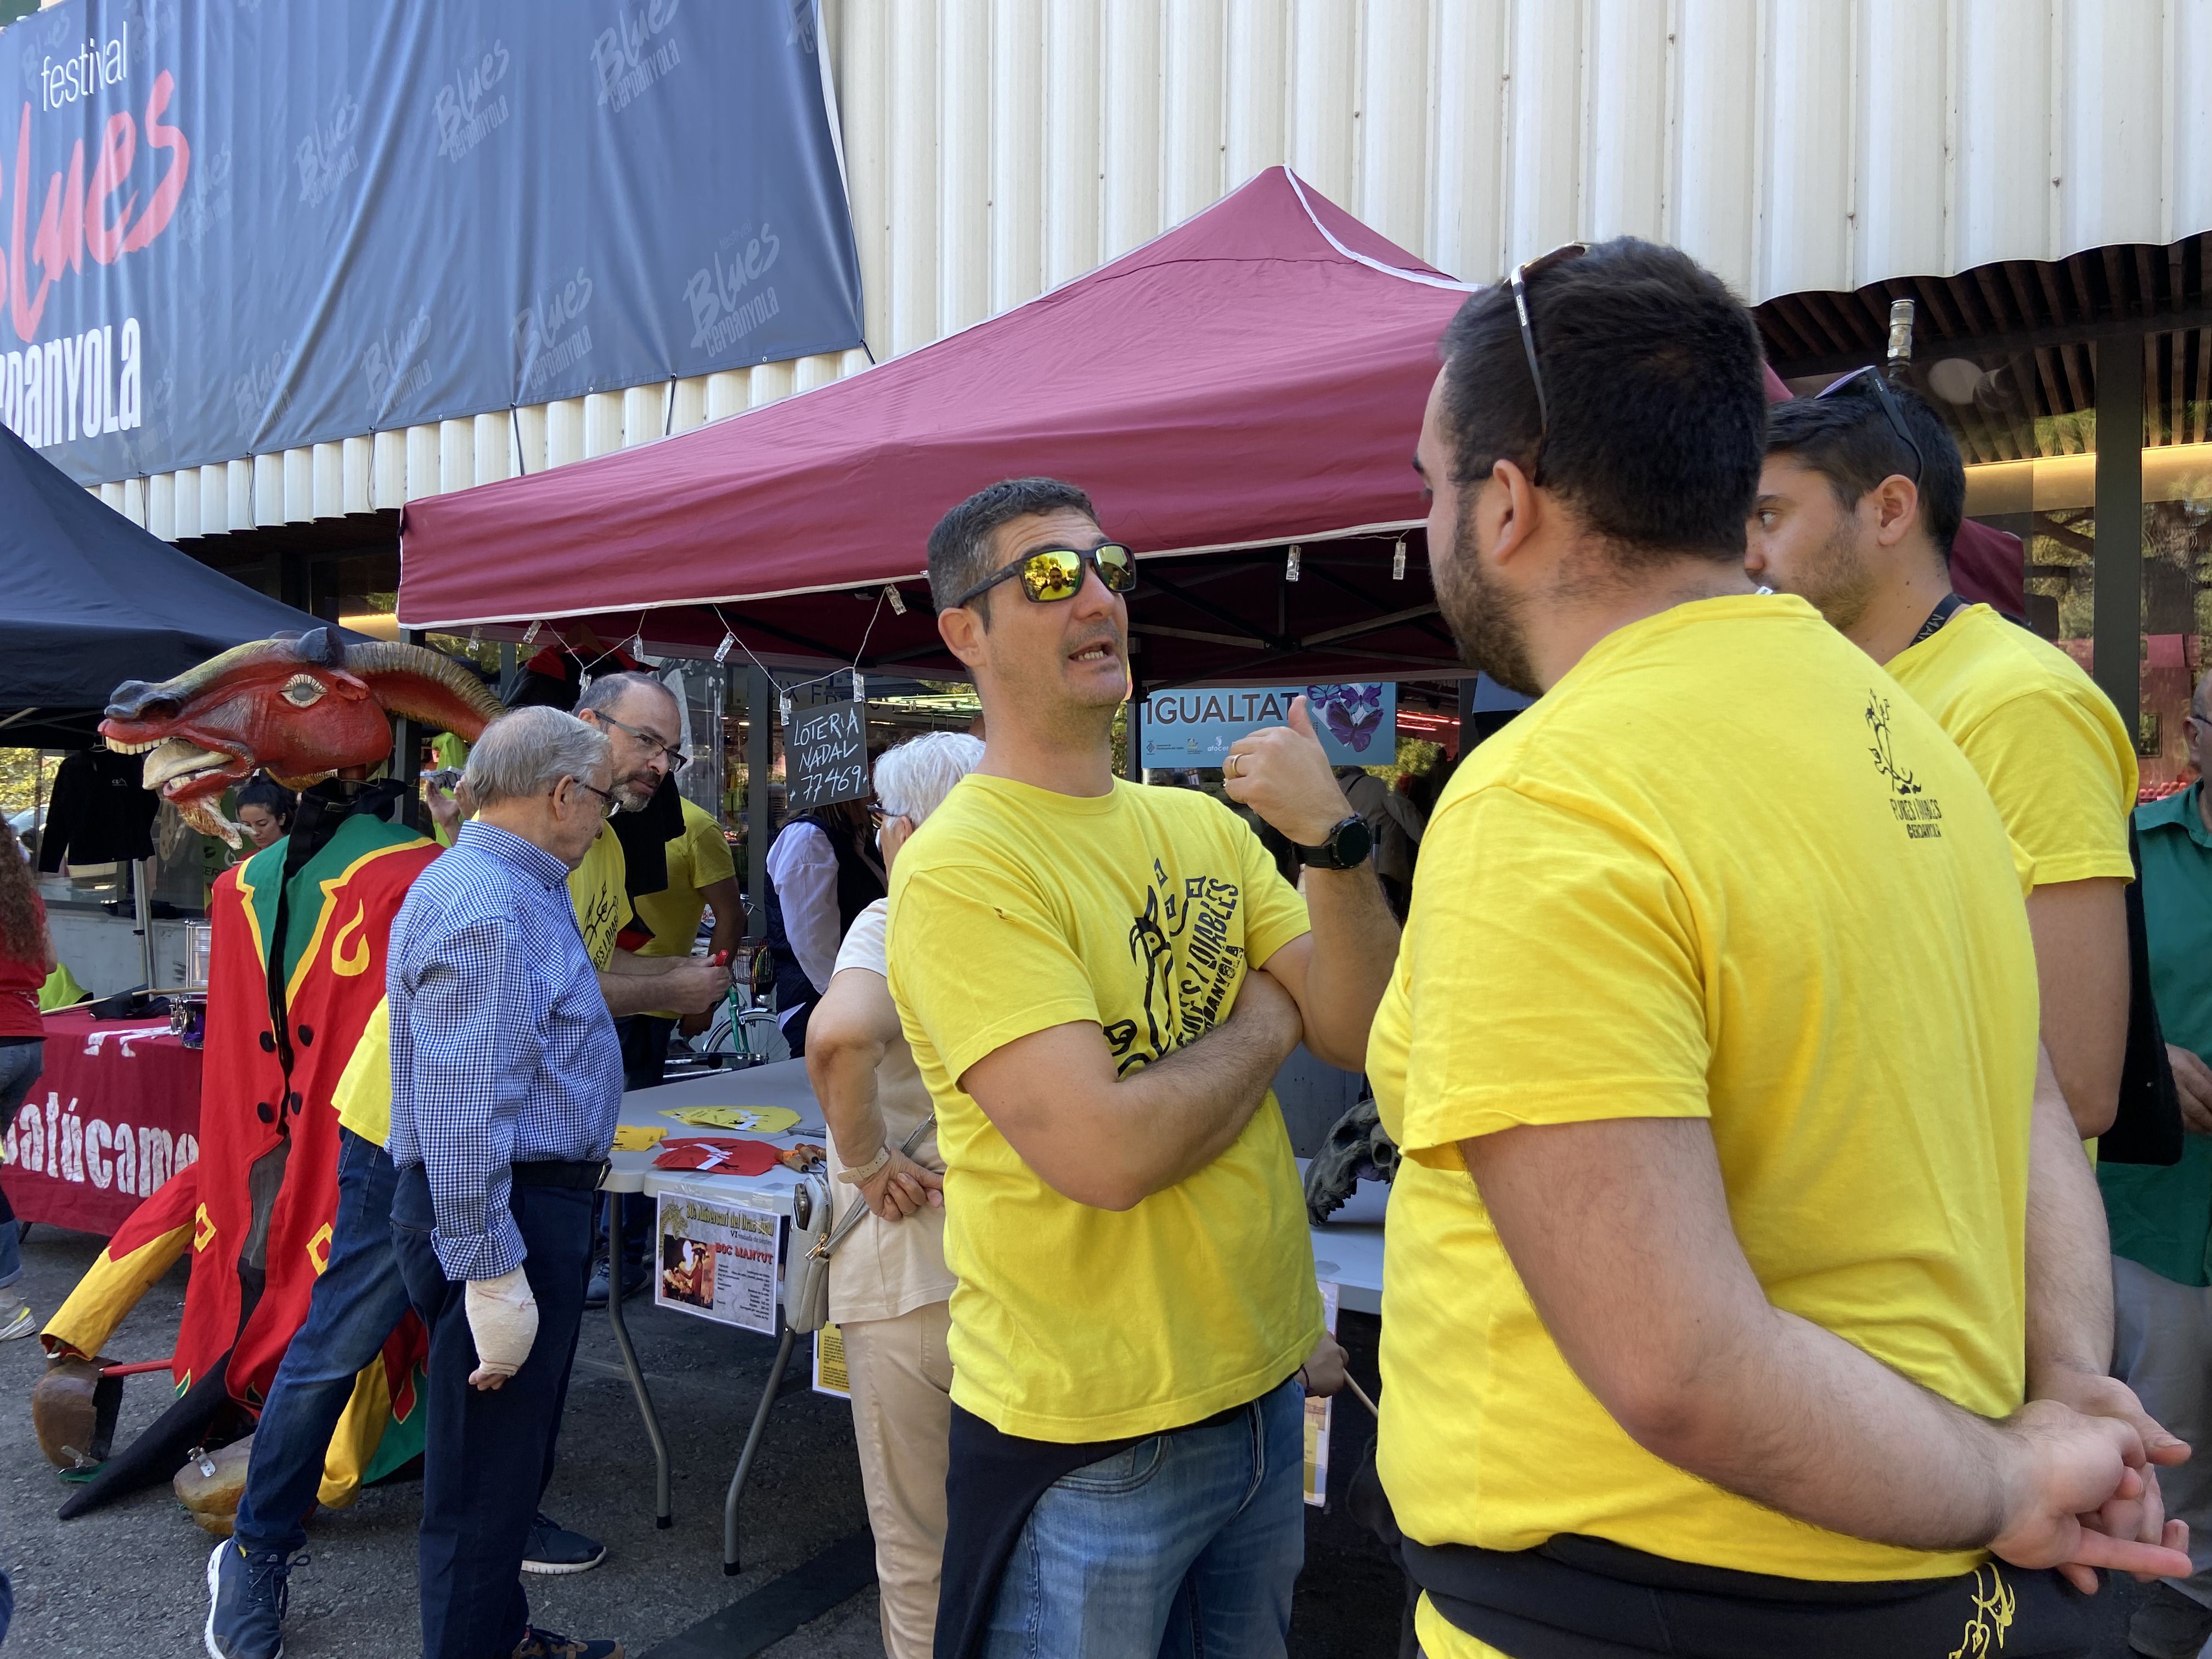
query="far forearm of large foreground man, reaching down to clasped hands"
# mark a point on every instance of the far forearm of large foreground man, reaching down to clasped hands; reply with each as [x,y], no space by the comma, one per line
[2069,1249]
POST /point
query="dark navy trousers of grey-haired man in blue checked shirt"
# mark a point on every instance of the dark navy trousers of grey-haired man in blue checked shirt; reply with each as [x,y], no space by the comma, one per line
[490,1452]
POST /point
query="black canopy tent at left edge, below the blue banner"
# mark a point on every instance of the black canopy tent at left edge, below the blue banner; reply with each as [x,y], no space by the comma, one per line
[90,601]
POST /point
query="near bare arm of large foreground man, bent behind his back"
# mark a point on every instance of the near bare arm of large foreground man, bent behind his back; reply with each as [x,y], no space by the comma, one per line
[1702,1370]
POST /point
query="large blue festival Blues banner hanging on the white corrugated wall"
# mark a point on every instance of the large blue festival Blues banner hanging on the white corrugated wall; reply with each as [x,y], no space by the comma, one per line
[236,227]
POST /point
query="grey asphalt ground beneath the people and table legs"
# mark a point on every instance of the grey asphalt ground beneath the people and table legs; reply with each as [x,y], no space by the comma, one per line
[132,1578]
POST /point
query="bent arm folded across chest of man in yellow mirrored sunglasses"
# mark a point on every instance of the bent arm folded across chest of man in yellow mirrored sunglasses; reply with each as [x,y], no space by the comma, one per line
[1114,1142]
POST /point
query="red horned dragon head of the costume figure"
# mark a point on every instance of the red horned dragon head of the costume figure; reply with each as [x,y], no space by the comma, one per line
[300,707]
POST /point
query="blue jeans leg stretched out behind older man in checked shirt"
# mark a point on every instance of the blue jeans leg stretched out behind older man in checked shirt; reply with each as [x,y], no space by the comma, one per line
[357,1304]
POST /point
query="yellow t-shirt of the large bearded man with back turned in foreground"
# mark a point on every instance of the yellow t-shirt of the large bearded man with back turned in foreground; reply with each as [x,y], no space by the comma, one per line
[1722,870]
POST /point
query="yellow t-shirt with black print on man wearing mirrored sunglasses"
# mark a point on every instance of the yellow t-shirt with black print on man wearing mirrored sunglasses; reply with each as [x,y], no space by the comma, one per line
[1016,910]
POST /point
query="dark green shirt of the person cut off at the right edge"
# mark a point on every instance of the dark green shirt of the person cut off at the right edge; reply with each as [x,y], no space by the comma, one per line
[2162,1218]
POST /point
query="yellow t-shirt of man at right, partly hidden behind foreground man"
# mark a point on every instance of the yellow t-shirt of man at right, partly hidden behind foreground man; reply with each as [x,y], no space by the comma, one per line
[2052,749]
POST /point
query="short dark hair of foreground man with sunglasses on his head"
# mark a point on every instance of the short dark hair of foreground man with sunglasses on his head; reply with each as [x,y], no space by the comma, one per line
[1656,390]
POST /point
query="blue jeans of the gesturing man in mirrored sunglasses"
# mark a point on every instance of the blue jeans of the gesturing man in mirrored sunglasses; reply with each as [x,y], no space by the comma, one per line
[1185,1545]
